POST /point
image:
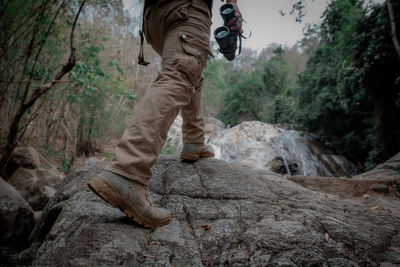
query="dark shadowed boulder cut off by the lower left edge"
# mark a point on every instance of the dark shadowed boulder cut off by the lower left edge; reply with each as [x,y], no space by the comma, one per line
[16,218]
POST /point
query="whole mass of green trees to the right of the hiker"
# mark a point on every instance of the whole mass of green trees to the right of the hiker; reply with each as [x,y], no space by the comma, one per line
[349,92]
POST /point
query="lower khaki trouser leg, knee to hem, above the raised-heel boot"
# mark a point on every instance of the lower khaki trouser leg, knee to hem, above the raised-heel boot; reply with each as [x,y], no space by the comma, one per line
[144,138]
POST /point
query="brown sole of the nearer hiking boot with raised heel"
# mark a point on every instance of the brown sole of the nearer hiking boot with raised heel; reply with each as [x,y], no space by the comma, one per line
[103,189]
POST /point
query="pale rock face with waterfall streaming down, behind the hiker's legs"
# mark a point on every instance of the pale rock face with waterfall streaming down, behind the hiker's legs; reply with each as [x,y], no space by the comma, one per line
[266,146]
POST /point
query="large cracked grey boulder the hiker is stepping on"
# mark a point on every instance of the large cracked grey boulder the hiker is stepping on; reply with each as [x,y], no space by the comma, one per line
[223,215]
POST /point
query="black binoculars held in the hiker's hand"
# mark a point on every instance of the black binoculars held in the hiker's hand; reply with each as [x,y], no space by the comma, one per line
[226,38]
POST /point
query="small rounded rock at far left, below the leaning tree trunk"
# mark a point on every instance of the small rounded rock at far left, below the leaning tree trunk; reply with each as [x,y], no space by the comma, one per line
[25,157]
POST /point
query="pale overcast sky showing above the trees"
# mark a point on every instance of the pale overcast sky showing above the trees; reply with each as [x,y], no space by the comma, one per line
[264,20]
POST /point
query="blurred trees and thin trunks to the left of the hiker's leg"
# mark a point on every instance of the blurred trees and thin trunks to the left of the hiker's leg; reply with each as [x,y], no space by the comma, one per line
[89,105]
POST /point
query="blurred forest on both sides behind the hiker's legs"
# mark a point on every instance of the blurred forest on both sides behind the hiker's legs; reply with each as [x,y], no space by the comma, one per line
[70,81]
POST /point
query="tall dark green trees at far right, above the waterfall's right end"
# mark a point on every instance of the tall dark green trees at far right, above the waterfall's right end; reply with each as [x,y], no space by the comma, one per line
[348,91]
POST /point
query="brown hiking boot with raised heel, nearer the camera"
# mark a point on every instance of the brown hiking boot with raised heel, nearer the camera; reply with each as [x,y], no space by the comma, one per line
[130,197]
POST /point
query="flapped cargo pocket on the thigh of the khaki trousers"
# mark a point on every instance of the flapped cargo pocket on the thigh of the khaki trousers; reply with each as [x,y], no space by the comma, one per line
[193,61]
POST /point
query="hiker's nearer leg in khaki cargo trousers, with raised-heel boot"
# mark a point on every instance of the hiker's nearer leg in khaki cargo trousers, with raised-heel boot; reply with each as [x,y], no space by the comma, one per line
[124,183]
